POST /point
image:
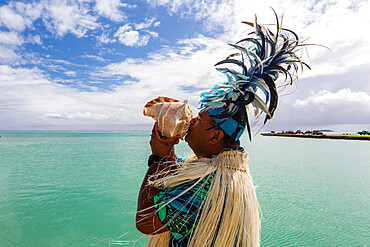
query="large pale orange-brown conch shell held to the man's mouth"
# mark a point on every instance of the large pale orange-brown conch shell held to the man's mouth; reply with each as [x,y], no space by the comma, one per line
[173,116]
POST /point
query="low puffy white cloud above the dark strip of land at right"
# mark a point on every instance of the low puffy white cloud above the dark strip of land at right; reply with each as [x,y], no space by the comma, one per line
[325,108]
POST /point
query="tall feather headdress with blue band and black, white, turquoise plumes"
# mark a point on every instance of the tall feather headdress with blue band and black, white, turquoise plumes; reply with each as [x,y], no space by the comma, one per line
[261,57]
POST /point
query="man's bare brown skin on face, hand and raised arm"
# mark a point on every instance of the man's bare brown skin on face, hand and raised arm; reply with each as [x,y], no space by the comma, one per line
[203,142]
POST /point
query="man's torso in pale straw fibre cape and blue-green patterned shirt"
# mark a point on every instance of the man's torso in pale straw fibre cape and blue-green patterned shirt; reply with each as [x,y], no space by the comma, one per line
[209,202]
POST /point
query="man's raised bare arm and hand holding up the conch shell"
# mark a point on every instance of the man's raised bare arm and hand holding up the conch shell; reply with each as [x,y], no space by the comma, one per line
[147,220]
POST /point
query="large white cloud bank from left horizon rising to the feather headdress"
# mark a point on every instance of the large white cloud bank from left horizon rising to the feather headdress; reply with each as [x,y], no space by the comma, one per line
[30,100]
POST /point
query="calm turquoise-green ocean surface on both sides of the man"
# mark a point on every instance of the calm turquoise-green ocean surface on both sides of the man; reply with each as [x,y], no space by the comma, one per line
[80,188]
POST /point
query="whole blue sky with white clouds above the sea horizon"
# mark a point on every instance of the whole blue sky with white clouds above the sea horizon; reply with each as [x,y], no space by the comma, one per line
[93,64]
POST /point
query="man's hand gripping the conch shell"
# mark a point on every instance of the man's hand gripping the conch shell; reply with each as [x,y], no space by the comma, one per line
[163,146]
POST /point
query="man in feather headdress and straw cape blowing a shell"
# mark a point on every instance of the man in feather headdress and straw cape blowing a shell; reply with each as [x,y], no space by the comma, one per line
[209,199]
